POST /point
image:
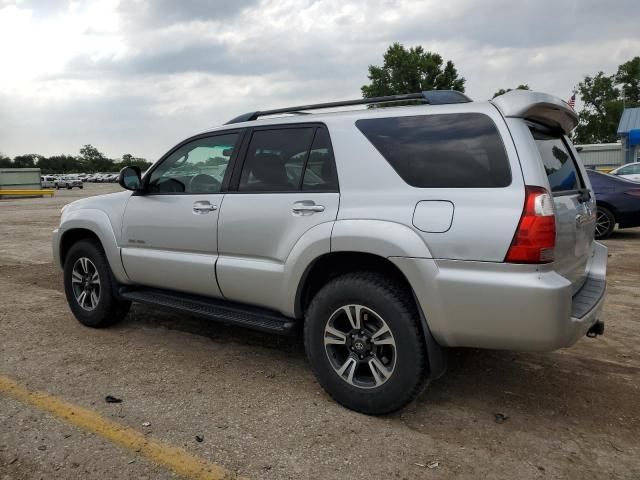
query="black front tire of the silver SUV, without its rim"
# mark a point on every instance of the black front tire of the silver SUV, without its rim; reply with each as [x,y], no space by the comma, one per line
[109,309]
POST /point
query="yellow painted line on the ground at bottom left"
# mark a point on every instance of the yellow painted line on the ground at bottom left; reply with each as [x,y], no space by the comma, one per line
[177,459]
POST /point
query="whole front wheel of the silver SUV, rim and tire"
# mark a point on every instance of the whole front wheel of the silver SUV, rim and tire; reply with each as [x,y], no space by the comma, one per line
[88,286]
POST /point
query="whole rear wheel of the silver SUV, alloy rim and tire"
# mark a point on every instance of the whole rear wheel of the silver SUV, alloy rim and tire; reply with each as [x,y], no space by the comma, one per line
[364,343]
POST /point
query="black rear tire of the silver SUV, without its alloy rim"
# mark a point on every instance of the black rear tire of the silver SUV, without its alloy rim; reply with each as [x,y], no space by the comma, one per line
[395,305]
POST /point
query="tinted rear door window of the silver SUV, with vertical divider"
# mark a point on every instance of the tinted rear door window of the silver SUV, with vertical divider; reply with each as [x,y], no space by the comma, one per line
[289,160]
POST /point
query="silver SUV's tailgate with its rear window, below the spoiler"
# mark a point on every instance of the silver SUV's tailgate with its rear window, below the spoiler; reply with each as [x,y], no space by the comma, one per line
[574,203]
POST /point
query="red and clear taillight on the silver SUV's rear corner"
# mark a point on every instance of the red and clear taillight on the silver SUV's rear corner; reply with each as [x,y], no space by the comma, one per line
[535,237]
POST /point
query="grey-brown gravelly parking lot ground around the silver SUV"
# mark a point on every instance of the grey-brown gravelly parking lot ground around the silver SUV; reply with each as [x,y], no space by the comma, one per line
[257,410]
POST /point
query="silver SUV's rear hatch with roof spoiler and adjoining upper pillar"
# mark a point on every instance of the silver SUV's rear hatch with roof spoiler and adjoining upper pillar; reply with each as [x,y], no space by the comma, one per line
[544,120]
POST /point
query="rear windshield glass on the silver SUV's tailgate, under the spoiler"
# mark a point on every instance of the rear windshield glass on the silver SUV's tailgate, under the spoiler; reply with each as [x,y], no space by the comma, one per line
[558,163]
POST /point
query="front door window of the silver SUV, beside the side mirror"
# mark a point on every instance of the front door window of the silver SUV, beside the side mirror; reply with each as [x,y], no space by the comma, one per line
[197,167]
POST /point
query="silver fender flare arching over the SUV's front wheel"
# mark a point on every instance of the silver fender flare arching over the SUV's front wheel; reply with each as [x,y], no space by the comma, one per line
[97,222]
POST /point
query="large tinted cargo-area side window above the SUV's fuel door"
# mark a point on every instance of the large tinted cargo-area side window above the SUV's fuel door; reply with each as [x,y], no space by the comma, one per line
[461,150]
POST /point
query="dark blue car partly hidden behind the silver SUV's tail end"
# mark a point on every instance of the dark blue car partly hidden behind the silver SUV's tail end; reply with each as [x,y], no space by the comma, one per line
[618,202]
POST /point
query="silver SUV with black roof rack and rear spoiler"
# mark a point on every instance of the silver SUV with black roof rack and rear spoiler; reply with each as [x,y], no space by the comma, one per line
[386,234]
